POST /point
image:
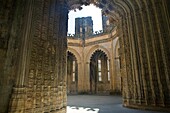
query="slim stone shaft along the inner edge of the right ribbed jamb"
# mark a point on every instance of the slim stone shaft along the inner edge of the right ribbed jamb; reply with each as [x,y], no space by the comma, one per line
[124,57]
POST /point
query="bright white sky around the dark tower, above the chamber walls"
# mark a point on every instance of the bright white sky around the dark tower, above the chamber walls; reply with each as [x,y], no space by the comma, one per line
[90,10]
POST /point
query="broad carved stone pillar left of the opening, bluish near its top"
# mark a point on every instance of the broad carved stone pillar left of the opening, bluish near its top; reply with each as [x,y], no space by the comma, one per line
[41,81]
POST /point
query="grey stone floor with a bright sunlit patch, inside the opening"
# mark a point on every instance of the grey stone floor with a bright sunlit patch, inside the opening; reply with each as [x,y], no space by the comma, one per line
[99,104]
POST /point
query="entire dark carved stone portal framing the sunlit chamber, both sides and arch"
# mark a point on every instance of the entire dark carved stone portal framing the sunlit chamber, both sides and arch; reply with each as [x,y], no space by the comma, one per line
[33,52]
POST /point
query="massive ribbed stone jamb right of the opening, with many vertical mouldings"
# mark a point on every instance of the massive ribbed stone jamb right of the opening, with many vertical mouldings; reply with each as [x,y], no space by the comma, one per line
[149,57]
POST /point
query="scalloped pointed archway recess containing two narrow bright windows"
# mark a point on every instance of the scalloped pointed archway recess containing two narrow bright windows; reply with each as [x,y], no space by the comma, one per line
[99,73]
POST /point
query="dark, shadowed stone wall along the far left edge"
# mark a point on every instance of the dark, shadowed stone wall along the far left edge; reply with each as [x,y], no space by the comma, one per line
[10,23]
